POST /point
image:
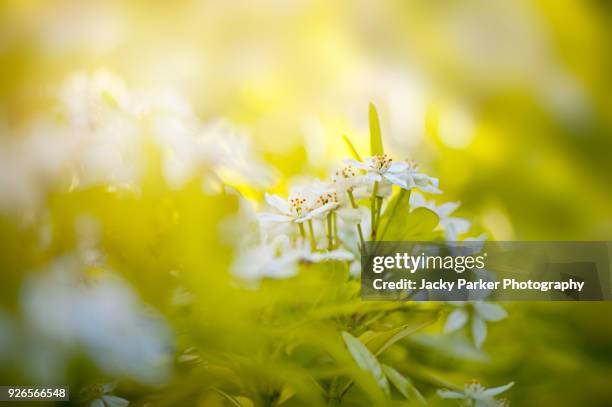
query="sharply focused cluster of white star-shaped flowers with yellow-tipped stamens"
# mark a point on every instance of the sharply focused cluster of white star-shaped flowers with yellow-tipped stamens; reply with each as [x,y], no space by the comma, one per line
[328,219]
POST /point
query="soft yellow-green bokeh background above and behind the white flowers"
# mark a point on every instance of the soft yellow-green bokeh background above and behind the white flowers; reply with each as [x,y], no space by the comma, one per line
[509,103]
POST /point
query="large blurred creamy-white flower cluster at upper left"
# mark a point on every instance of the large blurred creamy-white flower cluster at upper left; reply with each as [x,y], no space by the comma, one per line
[100,132]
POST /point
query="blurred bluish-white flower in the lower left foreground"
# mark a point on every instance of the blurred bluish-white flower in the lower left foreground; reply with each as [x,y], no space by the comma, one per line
[103,317]
